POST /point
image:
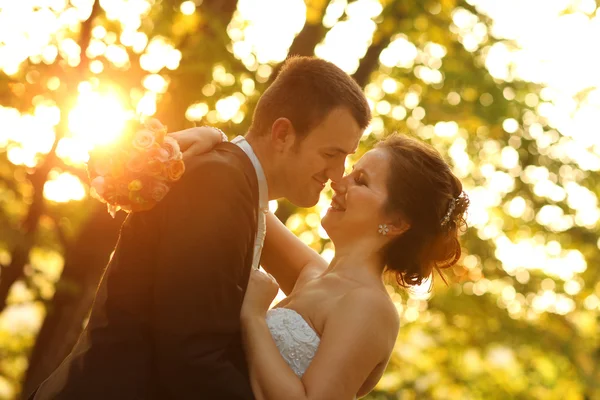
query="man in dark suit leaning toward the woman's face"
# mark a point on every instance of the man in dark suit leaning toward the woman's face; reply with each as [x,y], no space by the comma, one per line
[165,321]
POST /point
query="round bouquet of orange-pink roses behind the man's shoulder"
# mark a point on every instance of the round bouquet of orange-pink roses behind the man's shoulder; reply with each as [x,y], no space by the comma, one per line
[137,171]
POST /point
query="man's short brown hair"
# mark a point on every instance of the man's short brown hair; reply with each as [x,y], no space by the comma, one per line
[305,91]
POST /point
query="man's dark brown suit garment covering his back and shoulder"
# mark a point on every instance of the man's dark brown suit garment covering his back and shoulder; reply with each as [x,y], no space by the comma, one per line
[165,321]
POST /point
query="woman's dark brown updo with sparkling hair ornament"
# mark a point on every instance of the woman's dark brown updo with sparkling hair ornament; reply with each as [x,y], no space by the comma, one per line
[425,192]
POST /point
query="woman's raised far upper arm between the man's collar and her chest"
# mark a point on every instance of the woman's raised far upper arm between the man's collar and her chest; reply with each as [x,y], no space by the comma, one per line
[285,256]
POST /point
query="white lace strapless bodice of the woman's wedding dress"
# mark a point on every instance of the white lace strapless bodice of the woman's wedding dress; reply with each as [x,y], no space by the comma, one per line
[296,340]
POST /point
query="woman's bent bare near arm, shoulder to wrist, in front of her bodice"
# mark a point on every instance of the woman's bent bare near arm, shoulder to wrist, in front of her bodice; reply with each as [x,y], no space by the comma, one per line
[358,339]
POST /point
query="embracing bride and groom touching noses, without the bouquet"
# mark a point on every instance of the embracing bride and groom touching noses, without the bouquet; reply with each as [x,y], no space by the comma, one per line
[182,311]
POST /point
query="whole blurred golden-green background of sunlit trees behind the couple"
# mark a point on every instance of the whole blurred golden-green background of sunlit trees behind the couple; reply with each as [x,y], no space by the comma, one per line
[508,91]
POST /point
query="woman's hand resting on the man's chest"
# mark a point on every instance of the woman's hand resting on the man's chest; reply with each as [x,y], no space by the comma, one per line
[262,289]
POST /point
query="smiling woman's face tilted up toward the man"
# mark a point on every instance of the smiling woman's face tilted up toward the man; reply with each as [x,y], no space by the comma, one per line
[358,206]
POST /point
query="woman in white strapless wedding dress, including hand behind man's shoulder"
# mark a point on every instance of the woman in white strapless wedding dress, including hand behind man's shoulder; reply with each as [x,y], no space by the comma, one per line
[399,211]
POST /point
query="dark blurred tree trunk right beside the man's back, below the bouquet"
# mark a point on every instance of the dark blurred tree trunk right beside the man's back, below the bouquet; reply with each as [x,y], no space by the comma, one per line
[85,260]
